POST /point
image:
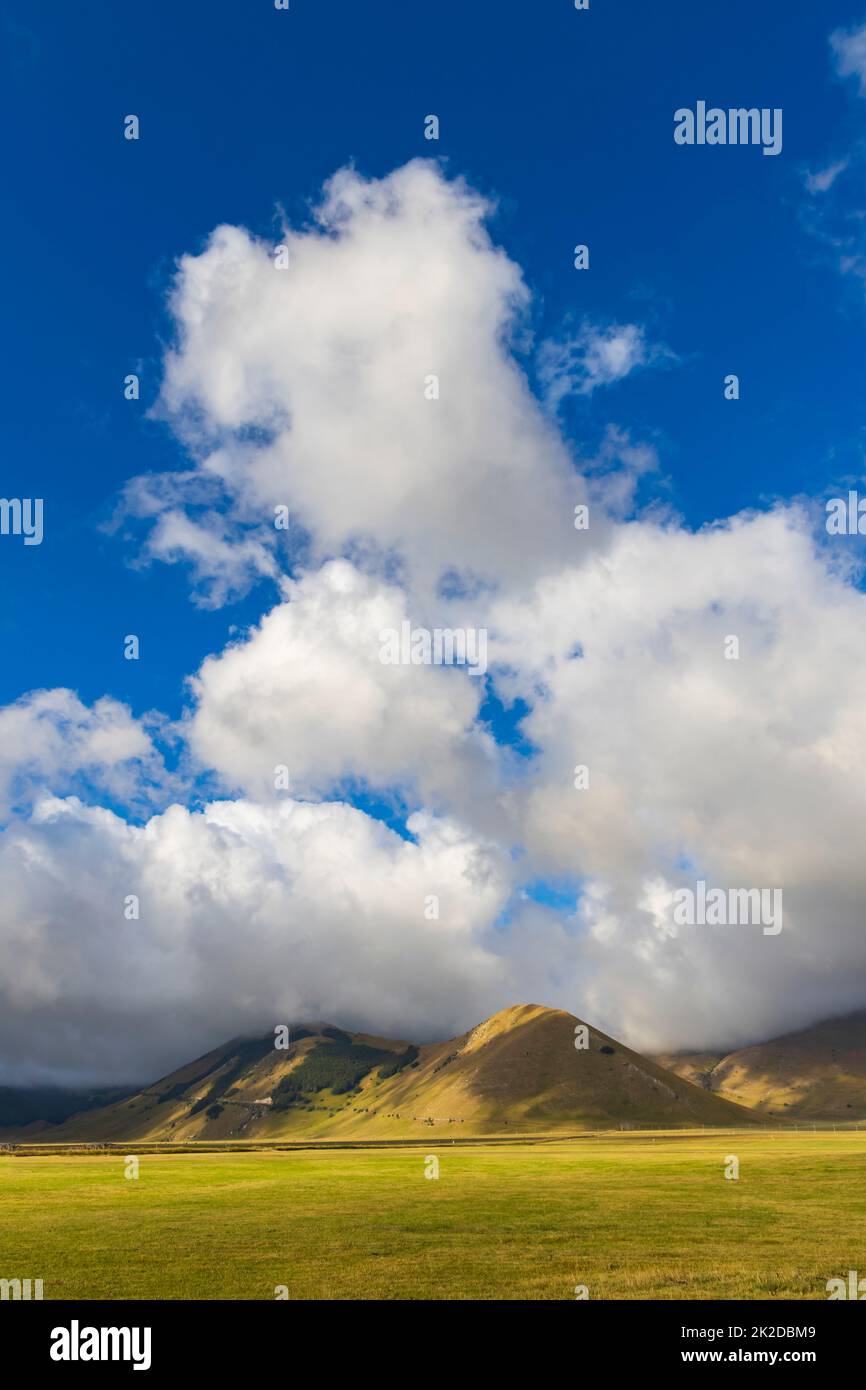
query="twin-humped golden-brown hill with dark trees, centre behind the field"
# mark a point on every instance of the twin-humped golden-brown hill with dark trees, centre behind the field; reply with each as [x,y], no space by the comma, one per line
[516,1074]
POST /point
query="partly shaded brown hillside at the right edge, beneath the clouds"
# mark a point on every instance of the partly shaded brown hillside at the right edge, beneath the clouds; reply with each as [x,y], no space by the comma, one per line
[817,1074]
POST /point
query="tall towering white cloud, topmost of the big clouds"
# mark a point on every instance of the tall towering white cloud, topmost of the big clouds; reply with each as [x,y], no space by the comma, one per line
[309,386]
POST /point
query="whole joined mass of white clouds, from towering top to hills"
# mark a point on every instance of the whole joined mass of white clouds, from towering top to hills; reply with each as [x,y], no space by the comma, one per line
[307,389]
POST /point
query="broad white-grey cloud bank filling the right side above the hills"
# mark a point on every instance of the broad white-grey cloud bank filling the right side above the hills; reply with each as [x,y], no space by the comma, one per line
[743,772]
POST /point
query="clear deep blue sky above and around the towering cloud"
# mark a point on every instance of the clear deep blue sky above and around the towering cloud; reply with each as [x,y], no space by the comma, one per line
[564,117]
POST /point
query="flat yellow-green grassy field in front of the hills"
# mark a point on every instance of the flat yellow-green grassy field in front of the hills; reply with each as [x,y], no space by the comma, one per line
[630,1217]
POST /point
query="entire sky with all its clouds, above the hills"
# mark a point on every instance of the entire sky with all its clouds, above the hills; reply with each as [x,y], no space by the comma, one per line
[610,647]
